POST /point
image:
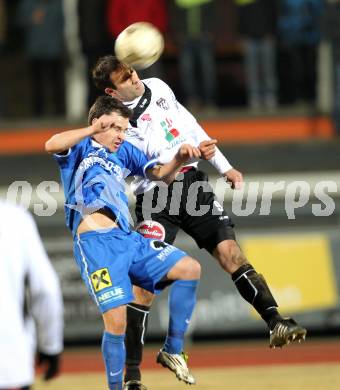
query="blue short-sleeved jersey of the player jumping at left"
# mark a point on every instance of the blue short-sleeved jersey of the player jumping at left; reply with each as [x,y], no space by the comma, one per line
[94,178]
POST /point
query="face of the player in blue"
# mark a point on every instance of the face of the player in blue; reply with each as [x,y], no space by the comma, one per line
[113,138]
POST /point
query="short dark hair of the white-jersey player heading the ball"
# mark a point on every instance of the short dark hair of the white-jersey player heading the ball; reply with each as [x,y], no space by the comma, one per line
[103,69]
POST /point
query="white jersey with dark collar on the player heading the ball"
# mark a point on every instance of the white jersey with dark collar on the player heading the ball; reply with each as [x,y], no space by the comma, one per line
[162,127]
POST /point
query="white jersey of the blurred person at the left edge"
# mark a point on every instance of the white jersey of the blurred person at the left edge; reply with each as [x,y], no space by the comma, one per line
[24,262]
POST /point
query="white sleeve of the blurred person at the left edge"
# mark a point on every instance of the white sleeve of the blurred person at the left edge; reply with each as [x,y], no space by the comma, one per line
[45,291]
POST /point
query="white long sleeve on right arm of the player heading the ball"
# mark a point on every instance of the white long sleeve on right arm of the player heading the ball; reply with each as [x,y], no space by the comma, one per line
[219,161]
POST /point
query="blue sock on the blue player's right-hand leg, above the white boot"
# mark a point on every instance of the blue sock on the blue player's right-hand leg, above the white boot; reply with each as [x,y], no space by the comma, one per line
[182,300]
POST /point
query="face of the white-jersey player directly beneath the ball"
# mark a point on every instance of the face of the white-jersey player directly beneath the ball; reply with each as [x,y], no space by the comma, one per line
[128,85]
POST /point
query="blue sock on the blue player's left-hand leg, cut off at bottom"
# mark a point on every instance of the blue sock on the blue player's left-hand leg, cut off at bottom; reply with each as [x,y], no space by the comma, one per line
[113,351]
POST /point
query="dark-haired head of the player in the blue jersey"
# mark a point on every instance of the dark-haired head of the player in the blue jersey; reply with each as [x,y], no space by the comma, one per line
[118,116]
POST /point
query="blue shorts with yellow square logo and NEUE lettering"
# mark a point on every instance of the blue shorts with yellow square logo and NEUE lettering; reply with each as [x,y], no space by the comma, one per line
[110,261]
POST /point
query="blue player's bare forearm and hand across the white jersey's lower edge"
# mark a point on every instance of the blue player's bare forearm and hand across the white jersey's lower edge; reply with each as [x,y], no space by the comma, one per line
[167,172]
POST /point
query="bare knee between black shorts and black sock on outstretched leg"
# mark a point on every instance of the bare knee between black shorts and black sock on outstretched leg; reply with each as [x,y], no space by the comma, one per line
[229,255]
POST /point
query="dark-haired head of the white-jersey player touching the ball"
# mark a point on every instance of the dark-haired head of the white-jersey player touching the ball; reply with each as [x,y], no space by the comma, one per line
[117,79]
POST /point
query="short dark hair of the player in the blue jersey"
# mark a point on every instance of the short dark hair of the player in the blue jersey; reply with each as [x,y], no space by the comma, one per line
[106,105]
